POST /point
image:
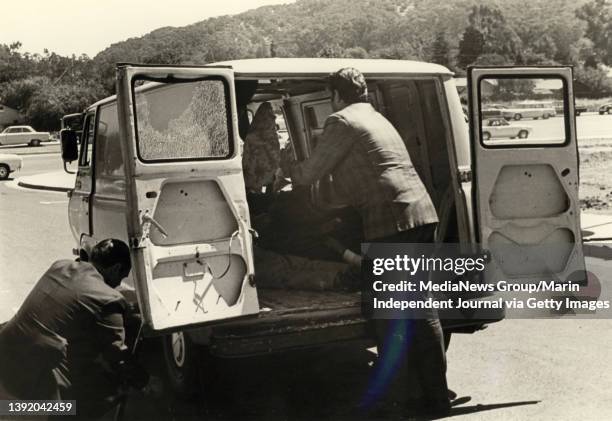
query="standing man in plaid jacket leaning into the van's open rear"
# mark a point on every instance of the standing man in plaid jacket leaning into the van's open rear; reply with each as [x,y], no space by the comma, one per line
[373,171]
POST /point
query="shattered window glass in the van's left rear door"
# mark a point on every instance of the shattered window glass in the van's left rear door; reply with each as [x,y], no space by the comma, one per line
[183,121]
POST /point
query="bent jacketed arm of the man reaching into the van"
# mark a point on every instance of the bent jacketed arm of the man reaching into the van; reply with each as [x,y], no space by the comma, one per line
[333,145]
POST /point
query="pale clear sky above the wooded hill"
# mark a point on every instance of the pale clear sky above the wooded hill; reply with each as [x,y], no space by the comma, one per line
[69,27]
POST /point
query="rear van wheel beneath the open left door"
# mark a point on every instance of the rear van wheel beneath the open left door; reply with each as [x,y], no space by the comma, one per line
[181,357]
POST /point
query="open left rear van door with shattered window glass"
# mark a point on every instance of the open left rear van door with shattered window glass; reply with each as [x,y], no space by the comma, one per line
[188,220]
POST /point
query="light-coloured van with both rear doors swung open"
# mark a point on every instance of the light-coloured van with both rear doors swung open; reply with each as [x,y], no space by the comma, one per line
[159,166]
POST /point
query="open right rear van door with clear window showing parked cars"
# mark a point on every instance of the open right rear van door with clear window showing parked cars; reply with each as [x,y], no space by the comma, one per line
[526,183]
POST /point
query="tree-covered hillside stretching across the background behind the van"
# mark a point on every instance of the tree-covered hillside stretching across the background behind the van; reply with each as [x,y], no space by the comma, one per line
[454,33]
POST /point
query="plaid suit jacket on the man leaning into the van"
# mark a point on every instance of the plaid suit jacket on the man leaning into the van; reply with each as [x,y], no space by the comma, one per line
[372,169]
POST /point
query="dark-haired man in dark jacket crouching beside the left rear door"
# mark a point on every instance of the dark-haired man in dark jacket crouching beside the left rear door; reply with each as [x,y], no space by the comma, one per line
[68,339]
